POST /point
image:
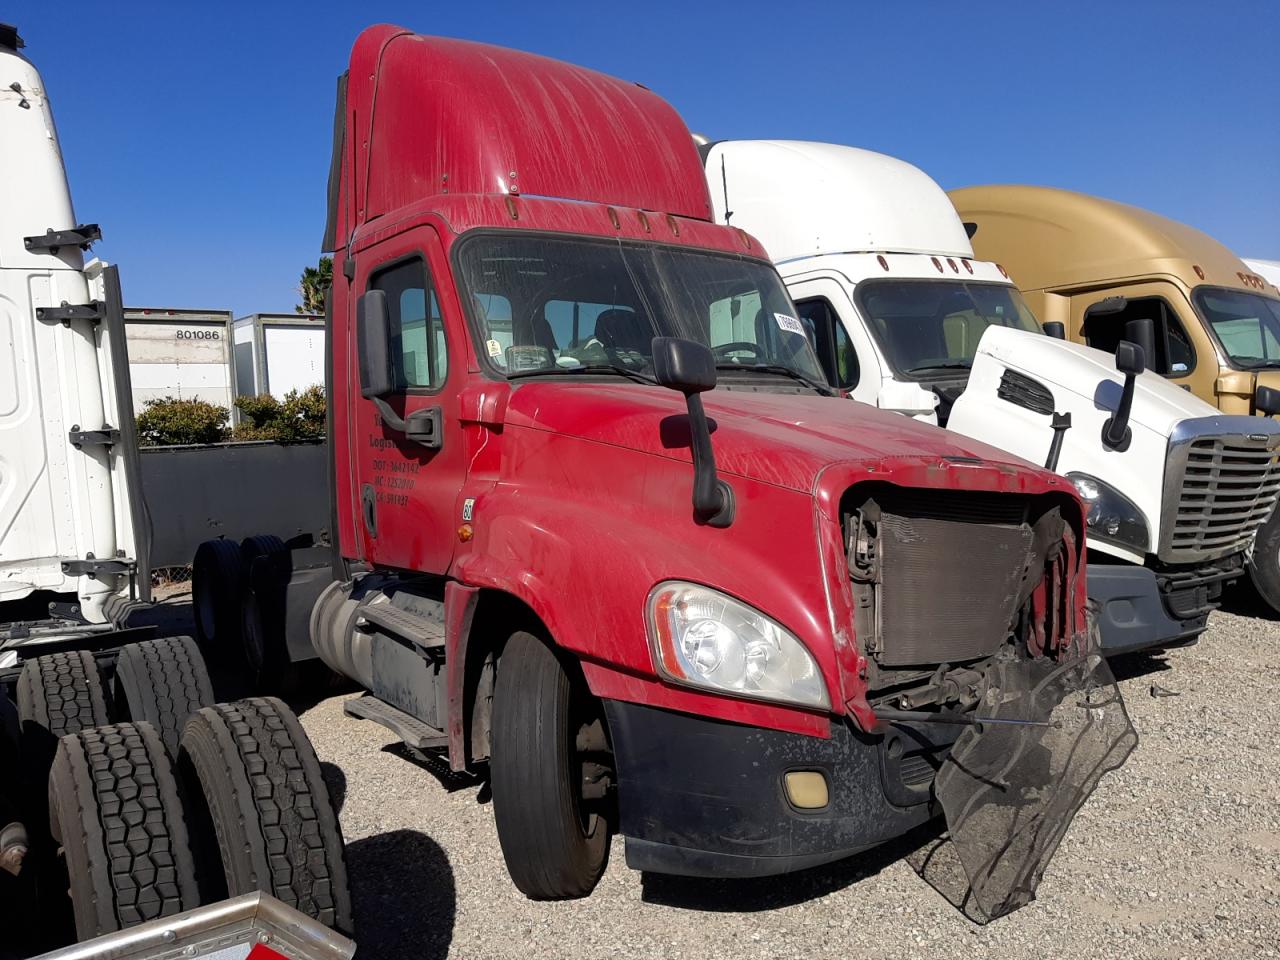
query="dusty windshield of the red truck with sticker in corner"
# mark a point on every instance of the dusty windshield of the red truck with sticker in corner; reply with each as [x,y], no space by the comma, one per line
[556,307]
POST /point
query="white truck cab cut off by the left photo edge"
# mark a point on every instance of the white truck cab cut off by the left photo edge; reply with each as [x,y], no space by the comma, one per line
[68,496]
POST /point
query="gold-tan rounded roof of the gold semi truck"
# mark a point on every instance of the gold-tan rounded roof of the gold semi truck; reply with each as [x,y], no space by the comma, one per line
[1058,239]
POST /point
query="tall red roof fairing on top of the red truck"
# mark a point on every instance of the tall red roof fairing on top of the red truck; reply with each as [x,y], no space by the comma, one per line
[428,117]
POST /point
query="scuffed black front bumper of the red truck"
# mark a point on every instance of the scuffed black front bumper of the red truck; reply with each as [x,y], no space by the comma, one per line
[705,798]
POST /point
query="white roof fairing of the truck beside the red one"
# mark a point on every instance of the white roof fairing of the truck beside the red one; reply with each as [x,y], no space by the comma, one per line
[853,200]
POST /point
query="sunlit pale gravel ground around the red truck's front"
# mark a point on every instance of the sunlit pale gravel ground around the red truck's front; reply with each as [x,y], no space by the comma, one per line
[1177,854]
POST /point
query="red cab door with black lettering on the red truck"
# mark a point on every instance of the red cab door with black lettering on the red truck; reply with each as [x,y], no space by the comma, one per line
[408,490]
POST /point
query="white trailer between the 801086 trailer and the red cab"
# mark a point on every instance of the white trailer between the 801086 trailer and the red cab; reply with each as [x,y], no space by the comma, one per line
[278,354]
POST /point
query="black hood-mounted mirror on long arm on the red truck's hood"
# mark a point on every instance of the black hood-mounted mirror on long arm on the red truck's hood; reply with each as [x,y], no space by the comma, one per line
[691,368]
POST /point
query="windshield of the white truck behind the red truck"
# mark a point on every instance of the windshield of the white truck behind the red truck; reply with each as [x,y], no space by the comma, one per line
[926,327]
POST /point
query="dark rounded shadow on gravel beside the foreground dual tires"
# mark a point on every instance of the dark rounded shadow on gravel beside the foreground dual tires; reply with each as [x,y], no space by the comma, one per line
[404,897]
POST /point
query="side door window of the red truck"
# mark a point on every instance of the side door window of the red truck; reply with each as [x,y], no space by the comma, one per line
[419,349]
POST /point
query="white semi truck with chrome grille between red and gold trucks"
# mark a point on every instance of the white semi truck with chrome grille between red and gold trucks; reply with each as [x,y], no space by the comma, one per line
[906,318]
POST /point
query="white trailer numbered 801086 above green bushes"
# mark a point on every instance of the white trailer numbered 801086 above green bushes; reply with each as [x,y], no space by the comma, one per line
[180,354]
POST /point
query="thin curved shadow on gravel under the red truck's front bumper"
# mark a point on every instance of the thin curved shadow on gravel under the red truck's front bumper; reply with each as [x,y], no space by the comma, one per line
[774,893]
